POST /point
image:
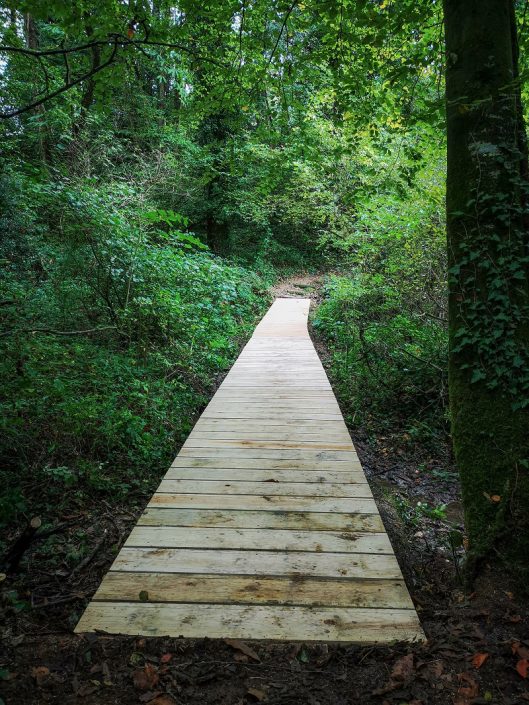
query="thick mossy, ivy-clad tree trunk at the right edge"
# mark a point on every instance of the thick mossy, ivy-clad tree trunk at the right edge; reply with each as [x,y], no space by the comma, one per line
[488,246]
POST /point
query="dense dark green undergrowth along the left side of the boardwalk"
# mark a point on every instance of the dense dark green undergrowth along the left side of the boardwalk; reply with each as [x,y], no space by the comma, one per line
[103,409]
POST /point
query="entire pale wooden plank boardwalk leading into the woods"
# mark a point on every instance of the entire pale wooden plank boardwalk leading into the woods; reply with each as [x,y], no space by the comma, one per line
[264,527]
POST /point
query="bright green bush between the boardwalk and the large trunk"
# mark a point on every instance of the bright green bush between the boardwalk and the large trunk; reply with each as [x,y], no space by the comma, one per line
[384,317]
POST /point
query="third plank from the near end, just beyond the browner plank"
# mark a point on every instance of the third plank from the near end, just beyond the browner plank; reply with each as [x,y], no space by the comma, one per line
[232,562]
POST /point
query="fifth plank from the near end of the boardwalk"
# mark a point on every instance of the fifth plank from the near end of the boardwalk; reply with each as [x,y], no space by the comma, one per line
[313,521]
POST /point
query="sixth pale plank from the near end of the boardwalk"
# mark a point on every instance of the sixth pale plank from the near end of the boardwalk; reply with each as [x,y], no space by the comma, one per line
[264,503]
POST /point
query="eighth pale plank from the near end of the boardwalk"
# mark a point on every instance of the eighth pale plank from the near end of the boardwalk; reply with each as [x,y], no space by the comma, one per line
[267,476]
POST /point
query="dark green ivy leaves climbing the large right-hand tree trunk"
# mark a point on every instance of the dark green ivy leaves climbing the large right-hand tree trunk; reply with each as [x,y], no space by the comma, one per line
[490,278]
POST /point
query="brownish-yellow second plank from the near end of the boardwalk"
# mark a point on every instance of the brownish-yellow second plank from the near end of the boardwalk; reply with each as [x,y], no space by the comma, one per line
[236,589]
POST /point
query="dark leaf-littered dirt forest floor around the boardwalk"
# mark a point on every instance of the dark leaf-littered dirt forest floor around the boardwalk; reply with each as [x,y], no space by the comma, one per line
[478,642]
